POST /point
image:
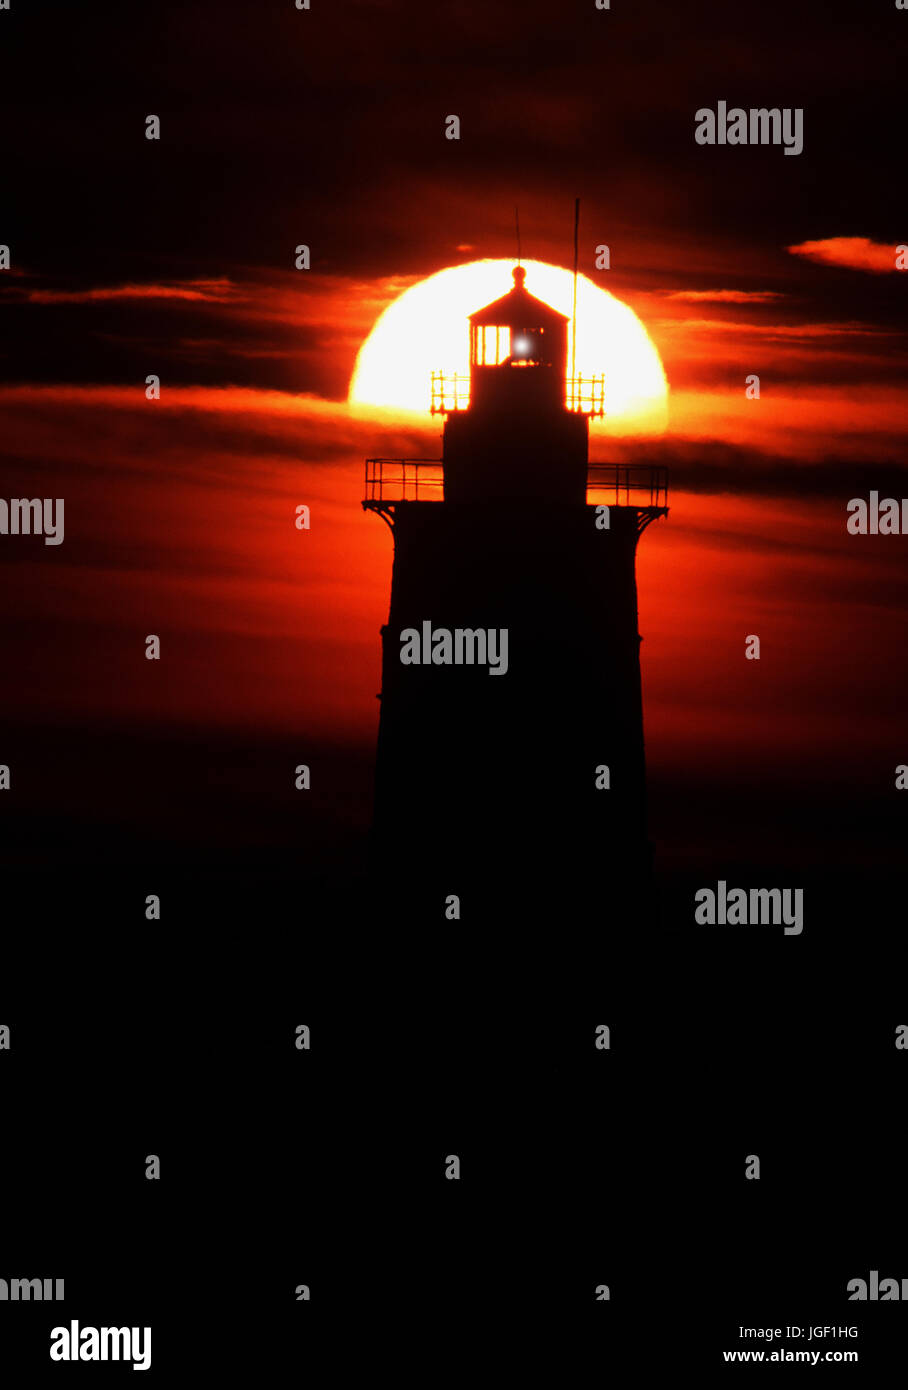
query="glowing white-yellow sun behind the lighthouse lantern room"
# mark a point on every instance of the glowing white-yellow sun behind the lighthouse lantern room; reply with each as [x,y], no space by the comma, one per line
[426,329]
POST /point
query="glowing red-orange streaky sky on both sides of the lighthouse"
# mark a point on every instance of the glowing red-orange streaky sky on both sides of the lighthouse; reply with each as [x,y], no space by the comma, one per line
[180,522]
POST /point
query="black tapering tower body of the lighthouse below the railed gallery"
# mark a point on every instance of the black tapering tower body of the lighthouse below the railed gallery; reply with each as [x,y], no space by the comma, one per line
[490,772]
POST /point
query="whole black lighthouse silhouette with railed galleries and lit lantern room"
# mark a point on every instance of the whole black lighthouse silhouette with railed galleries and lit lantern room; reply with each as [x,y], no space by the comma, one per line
[511,735]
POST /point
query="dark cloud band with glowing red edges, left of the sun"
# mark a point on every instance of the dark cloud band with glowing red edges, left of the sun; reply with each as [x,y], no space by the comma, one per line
[247,327]
